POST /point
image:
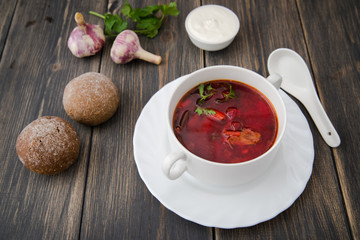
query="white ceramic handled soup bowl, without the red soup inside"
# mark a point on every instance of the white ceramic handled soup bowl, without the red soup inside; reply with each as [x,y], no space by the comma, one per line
[222,174]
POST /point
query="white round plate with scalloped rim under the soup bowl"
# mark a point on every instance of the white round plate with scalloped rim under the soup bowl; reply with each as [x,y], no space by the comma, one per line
[223,207]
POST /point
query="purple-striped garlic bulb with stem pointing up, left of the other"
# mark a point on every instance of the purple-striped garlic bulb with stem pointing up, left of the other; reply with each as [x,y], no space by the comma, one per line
[86,39]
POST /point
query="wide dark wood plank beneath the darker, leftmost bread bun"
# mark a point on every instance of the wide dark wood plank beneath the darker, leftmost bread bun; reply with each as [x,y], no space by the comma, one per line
[35,67]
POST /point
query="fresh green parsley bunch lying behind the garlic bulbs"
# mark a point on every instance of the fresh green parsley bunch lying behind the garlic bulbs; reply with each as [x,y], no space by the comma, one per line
[147,22]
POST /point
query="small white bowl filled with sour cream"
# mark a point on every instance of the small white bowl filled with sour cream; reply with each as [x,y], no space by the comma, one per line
[212,27]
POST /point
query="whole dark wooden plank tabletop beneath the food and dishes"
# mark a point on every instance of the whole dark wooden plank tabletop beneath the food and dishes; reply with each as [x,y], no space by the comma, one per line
[102,196]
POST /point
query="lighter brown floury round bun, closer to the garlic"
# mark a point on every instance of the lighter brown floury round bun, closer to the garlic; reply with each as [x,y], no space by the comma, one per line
[91,98]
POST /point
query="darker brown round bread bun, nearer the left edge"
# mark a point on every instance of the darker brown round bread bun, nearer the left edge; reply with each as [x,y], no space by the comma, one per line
[48,145]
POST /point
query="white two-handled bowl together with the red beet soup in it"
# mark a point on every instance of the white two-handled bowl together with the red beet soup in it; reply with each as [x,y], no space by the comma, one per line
[225,125]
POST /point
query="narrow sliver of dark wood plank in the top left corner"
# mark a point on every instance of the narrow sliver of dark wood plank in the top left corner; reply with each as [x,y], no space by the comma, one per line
[7,9]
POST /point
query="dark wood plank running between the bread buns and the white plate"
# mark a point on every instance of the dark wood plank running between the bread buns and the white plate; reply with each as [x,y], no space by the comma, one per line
[118,204]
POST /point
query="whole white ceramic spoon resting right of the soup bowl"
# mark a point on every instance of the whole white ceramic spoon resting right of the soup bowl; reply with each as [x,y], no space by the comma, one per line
[297,80]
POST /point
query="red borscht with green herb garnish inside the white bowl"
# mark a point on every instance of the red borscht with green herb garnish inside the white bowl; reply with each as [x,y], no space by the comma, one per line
[225,121]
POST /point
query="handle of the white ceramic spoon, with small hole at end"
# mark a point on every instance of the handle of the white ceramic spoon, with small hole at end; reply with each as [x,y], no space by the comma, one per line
[321,120]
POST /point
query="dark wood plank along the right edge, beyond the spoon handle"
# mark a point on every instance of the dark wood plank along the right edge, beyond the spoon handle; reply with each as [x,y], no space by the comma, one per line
[333,40]
